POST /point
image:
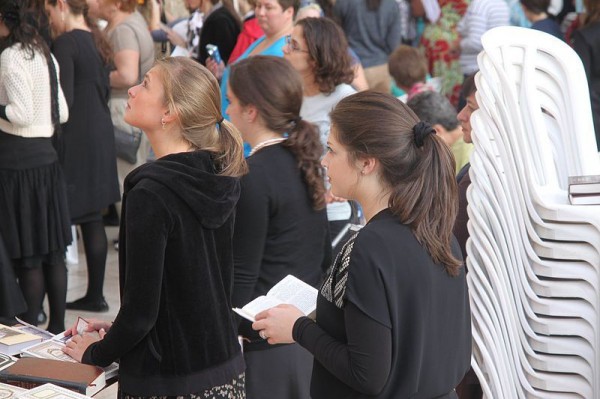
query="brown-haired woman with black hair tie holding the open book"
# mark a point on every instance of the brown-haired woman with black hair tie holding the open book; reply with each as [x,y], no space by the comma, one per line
[393,317]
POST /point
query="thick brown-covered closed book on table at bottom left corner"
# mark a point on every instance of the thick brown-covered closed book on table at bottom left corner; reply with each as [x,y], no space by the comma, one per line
[32,372]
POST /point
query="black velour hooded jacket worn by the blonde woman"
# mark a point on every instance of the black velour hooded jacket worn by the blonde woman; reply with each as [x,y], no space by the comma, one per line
[175,333]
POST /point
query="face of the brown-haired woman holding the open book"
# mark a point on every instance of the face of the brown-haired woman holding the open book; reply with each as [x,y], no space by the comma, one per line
[342,172]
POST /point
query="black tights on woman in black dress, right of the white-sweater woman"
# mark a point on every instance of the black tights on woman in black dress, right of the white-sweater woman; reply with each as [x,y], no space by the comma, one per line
[95,245]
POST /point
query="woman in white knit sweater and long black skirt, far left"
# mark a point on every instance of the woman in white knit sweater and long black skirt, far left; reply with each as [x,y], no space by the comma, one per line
[34,219]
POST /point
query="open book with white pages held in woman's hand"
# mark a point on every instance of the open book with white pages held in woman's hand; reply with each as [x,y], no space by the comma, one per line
[290,290]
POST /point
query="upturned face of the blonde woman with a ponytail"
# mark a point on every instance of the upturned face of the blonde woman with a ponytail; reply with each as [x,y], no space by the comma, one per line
[146,104]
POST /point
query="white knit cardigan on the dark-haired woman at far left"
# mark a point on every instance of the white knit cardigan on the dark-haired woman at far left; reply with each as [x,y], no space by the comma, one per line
[25,90]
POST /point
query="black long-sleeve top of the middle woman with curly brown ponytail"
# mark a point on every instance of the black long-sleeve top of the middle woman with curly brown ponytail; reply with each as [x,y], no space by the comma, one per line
[277,231]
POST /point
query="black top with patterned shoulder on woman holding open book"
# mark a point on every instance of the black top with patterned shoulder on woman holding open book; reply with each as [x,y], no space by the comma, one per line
[390,322]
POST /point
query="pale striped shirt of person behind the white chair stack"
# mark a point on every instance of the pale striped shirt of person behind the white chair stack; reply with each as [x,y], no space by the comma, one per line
[481,16]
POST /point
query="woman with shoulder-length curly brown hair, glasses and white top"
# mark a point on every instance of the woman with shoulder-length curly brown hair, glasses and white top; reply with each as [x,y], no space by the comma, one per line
[318,50]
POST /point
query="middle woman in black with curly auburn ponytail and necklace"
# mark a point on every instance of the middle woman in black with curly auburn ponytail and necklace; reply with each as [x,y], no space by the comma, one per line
[281,223]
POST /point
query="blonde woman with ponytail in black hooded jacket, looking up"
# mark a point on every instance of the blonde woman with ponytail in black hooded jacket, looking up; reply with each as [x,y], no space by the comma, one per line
[174,334]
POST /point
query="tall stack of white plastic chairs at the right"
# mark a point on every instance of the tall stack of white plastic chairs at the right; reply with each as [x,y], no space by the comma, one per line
[533,259]
